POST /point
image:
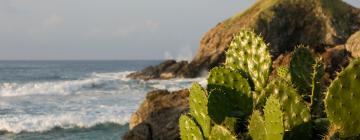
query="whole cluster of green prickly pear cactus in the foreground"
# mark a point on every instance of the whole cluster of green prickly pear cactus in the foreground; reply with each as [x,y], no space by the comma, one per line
[240,102]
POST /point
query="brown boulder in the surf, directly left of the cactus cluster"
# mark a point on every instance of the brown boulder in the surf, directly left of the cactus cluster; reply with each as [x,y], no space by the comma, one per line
[157,117]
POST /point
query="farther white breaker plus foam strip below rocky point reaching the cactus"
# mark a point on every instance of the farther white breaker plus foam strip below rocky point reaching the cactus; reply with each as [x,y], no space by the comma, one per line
[96,81]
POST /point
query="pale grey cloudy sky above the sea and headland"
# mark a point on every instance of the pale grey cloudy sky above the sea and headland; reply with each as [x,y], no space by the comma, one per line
[110,29]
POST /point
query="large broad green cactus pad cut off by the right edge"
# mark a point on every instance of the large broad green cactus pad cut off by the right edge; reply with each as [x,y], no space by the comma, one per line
[342,100]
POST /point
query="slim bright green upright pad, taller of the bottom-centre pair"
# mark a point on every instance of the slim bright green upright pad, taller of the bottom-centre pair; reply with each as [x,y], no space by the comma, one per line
[273,119]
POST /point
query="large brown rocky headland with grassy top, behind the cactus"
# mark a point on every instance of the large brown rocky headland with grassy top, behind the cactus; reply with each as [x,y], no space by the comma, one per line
[284,24]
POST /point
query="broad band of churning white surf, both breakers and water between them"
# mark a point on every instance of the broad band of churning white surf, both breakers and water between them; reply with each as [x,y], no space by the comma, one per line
[98,98]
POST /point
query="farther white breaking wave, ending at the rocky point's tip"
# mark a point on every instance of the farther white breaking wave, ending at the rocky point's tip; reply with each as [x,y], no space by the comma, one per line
[96,80]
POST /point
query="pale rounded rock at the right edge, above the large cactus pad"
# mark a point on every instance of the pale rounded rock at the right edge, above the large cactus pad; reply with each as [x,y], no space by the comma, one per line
[353,45]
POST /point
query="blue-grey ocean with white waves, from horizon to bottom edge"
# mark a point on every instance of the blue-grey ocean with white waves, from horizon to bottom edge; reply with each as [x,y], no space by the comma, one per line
[72,100]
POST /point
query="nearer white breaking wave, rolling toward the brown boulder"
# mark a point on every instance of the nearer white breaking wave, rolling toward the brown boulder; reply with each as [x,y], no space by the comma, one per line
[42,123]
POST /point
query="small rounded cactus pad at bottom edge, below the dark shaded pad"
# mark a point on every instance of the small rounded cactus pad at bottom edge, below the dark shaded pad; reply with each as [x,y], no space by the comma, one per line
[219,132]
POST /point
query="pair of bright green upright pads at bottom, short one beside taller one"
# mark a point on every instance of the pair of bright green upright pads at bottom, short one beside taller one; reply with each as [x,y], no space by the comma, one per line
[272,128]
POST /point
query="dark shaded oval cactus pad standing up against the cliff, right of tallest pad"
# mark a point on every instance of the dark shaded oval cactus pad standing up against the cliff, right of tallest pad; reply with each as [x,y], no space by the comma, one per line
[301,67]
